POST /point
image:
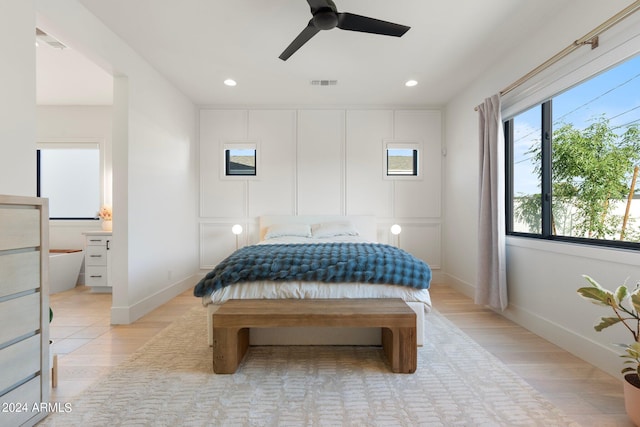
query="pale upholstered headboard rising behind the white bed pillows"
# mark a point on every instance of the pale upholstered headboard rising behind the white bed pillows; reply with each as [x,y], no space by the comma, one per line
[365,224]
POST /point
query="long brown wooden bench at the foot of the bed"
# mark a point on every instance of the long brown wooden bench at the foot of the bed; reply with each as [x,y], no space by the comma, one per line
[231,323]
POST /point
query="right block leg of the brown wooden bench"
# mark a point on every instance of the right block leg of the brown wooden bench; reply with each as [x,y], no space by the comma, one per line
[401,348]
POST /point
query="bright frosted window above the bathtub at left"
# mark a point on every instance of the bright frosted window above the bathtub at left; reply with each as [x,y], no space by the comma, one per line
[69,176]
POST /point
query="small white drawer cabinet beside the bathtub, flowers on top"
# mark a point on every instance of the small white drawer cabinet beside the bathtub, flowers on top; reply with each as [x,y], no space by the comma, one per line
[97,260]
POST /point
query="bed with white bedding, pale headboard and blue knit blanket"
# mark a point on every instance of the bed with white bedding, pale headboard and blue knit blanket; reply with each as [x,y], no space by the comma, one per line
[292,235]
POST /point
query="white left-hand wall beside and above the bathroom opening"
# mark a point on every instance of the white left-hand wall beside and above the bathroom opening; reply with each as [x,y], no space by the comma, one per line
[155,173]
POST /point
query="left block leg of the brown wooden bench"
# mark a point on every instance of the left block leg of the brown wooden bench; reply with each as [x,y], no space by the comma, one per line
[229,347]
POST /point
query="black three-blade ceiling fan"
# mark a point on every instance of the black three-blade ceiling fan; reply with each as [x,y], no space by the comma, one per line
[326,17]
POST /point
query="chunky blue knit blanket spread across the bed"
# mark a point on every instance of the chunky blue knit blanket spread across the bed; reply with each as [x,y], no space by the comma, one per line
[318,262]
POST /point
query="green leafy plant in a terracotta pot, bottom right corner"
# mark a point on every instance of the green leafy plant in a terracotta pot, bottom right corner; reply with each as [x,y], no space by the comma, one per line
[626,306]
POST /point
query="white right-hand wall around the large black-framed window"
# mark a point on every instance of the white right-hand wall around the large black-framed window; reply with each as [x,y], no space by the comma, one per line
[543,276]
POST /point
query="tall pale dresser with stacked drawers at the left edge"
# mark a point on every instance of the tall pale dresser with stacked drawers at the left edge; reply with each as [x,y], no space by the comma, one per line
[24,309]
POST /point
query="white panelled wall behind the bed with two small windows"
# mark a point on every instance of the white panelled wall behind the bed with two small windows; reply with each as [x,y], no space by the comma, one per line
[320,161]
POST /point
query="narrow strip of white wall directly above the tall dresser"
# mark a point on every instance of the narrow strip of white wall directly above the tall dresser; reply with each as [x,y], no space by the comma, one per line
[18,92]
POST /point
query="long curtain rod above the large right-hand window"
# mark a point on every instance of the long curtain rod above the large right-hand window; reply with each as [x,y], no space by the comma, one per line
[591,38]
